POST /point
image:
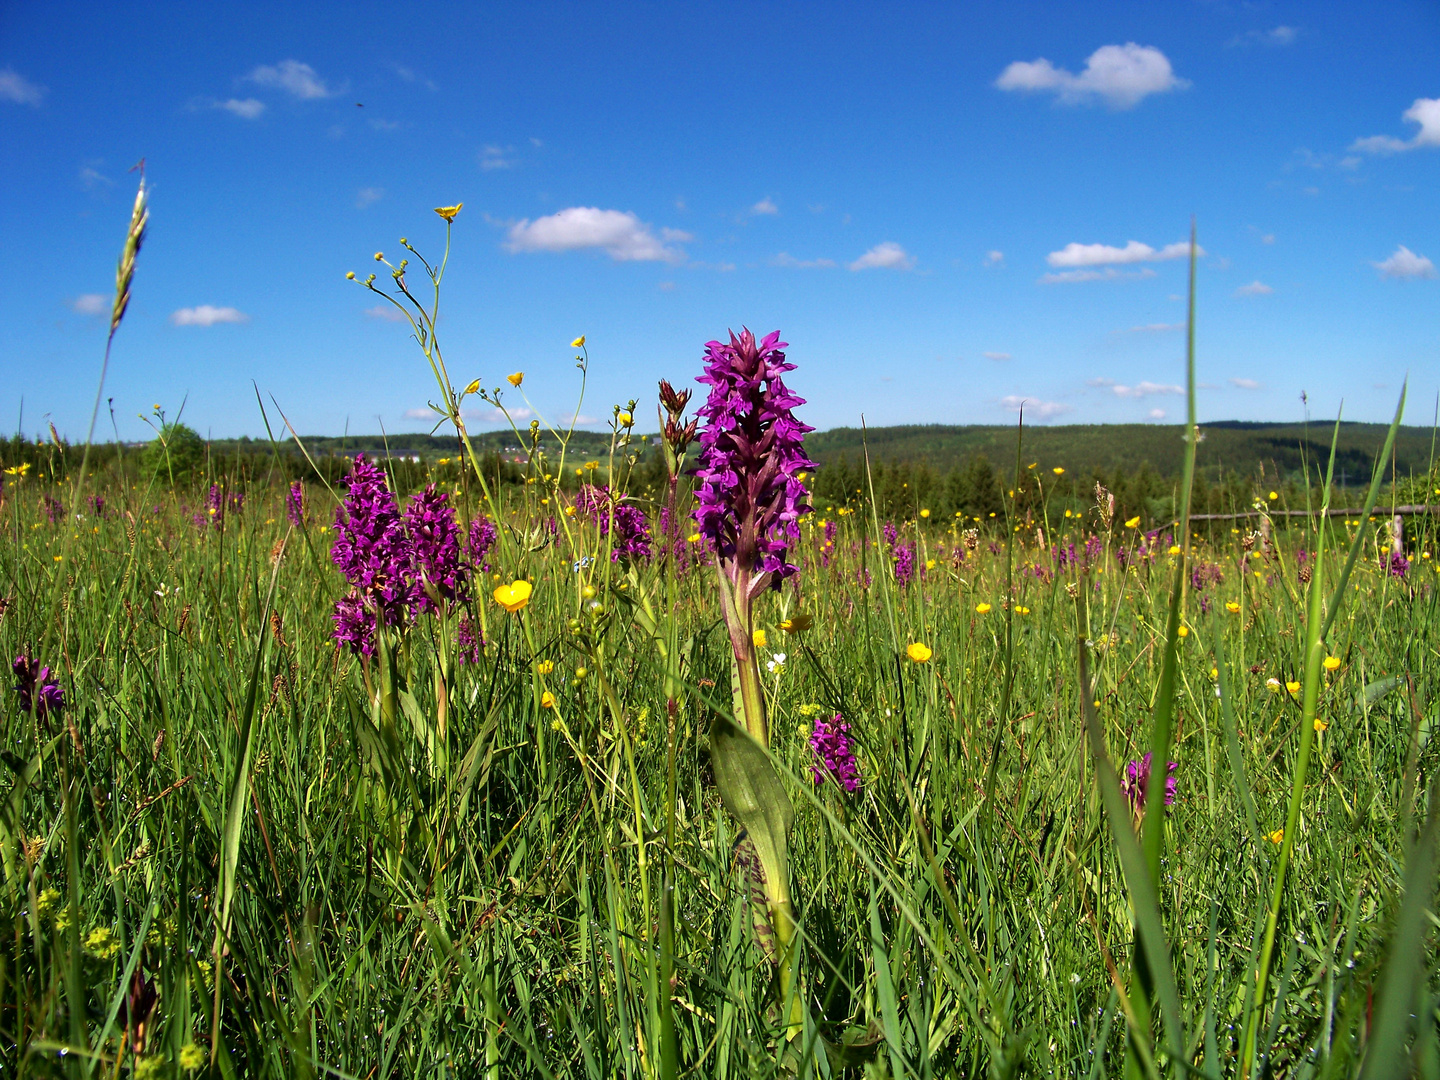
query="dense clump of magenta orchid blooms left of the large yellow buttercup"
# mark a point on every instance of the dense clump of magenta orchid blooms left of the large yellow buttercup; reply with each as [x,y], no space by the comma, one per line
[397,564]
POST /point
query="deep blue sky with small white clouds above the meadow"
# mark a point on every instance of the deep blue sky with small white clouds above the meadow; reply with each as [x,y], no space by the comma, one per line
[944,208]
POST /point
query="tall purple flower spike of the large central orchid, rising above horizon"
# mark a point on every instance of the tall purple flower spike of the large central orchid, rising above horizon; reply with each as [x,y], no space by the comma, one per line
[751,450]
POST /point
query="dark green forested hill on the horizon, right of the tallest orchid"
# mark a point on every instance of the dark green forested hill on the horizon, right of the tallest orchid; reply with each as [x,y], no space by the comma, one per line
[1229,447]
